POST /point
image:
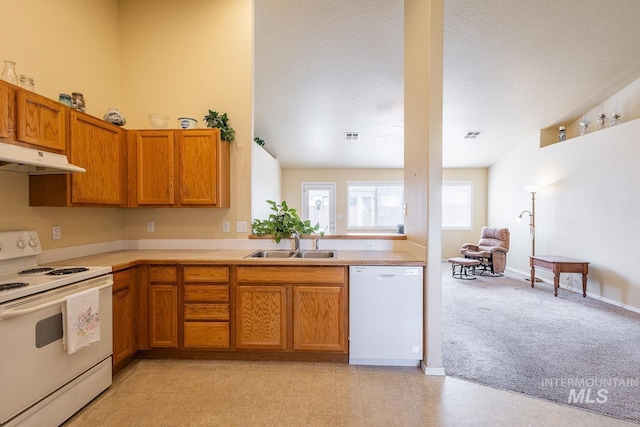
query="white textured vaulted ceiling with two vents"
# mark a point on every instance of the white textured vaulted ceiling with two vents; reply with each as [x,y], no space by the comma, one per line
[511,67]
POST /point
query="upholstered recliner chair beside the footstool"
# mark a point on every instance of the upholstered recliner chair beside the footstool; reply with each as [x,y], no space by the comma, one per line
[491,250]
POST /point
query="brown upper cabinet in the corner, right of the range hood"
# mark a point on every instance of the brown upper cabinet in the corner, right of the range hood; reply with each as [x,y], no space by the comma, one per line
[97,146]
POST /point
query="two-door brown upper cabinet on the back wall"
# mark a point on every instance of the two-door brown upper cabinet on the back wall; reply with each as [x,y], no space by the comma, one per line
[178,168]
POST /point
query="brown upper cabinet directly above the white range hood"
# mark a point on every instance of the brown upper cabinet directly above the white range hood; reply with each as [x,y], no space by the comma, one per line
[31,120]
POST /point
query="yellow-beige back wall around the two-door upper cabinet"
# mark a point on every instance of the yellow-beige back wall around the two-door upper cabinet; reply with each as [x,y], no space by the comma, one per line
[182,59]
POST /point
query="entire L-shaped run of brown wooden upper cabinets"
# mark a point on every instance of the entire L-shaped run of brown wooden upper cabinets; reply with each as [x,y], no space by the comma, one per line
[138,168]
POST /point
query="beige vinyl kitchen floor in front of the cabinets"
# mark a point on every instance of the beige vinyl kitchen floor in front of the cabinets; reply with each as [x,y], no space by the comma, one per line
[240,393]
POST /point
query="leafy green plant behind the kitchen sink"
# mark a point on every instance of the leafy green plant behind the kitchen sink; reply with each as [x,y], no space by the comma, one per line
[283,223]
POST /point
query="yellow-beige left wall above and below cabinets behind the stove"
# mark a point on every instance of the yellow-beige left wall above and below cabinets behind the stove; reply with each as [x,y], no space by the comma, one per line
[70,46]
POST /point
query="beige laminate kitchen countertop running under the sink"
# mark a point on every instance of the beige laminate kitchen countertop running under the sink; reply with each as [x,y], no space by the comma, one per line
[119,260]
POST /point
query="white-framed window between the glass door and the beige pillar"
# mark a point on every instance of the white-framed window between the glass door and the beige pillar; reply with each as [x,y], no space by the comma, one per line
[375,205]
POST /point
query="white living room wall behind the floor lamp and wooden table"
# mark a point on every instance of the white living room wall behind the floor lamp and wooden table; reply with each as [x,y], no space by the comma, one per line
[587,208]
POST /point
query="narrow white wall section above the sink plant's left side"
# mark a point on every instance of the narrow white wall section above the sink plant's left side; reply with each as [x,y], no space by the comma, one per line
[266,182]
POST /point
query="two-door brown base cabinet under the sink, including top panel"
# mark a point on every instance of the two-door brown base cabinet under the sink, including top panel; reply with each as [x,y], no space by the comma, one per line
[300,308]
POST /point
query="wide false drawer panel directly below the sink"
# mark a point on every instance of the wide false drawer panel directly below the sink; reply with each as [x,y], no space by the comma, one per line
[302,274]
